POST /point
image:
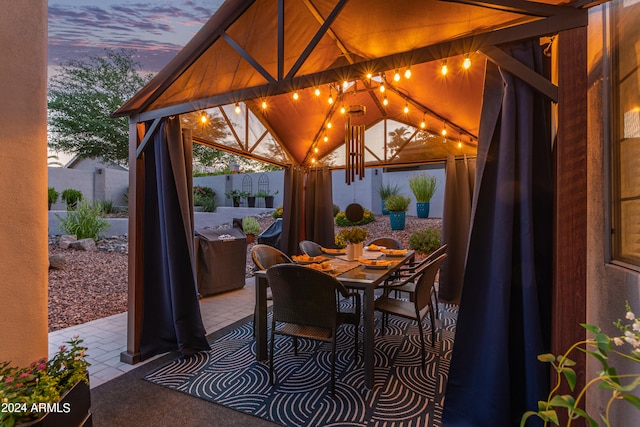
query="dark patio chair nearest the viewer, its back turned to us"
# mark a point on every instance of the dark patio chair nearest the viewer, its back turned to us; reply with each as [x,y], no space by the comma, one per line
[306,304]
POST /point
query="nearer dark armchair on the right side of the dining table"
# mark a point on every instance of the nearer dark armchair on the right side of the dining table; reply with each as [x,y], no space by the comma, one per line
[419,307]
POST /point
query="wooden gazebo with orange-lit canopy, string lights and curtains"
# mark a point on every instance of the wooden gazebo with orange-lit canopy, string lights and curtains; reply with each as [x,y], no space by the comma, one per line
[313,84]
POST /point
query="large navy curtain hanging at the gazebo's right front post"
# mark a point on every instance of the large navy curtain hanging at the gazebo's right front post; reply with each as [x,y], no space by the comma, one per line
[504,316]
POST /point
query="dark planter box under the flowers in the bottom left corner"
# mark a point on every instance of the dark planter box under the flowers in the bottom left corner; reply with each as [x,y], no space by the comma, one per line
[71,411]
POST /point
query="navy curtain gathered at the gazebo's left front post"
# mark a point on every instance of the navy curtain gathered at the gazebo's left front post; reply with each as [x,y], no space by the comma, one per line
[171,312]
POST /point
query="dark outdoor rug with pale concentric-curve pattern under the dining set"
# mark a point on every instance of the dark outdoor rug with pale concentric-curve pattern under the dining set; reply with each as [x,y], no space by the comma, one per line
[404,394]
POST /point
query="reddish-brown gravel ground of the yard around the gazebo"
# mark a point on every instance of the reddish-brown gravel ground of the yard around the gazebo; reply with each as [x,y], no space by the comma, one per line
[92,285]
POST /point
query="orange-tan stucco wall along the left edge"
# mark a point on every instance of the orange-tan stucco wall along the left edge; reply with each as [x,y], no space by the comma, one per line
[23,181]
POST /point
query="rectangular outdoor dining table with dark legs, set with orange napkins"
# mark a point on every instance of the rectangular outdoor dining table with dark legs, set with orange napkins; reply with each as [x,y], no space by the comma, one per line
[357,277]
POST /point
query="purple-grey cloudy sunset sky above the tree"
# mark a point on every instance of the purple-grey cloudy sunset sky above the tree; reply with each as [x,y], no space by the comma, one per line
[157,29]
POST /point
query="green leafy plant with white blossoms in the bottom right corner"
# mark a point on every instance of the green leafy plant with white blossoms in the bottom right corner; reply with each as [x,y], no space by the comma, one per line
[600,347]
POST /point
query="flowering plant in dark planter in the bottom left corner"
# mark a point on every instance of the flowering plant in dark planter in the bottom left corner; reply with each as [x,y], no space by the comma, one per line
[62,382]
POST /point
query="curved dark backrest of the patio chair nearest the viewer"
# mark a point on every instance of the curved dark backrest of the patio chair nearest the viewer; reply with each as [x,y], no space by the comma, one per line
[303,296]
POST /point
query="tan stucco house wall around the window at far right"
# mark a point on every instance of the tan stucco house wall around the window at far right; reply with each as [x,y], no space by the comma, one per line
[608,285]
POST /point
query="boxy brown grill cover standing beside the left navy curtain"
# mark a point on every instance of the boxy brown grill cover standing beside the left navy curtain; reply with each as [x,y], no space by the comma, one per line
[221,259]
